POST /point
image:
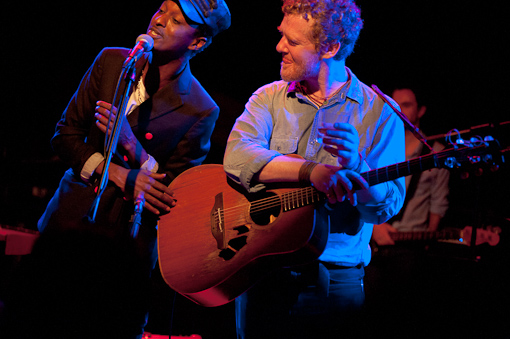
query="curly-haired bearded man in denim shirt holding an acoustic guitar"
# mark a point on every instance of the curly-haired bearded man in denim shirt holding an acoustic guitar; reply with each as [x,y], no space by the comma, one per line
[340,128]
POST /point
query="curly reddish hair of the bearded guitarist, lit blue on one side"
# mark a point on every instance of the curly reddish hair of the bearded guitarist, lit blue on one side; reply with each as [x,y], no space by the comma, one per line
[335,21]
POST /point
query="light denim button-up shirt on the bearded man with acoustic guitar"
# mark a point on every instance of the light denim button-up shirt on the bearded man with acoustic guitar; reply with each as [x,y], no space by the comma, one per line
[280,120]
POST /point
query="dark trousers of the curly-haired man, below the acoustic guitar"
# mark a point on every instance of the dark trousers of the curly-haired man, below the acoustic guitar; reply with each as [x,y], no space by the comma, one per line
[306,302]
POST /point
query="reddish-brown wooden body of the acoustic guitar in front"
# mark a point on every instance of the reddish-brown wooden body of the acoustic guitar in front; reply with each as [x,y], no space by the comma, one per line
[213,245]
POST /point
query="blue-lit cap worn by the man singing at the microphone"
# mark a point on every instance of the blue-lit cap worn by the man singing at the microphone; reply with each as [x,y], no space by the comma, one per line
[212,13]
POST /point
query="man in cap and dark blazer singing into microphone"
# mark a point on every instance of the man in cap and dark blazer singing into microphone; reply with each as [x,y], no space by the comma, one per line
[167,128]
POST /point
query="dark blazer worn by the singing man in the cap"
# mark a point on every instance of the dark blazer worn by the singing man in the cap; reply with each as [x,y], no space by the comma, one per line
[174,126]
